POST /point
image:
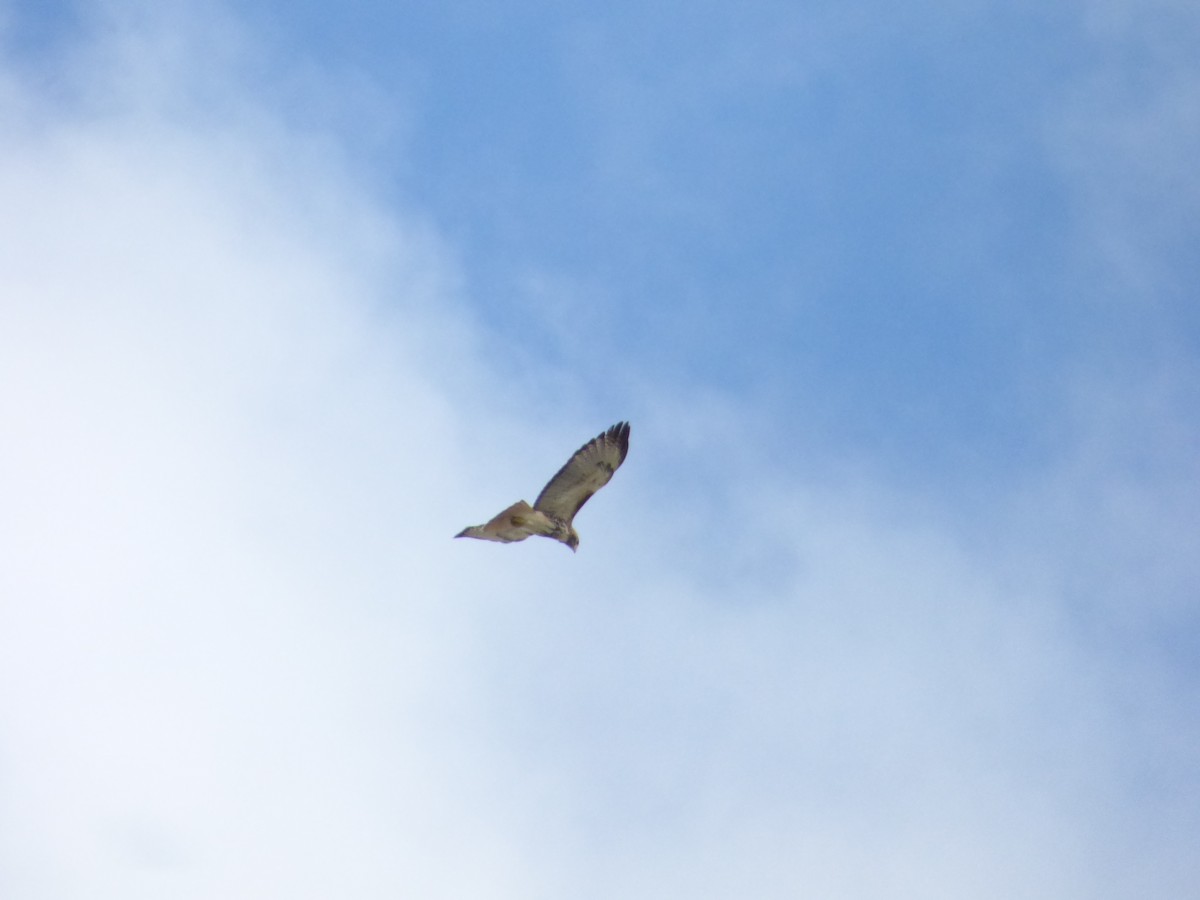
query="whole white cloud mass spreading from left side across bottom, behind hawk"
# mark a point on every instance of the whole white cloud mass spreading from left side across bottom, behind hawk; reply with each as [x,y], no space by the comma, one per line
[245,407]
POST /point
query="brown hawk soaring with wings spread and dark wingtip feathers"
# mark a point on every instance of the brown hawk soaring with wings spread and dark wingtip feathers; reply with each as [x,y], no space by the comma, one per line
[551,514]
